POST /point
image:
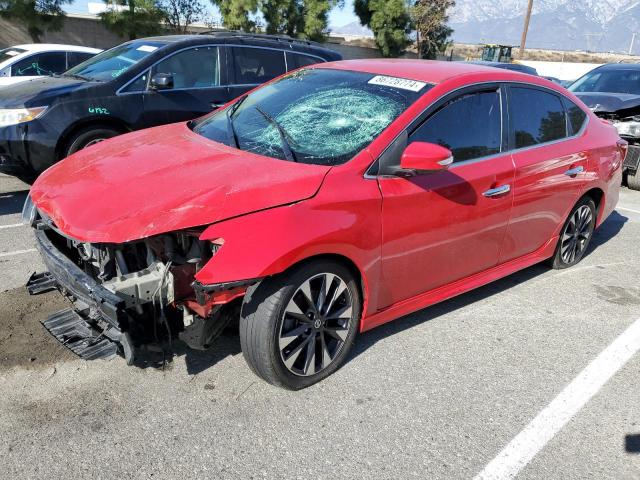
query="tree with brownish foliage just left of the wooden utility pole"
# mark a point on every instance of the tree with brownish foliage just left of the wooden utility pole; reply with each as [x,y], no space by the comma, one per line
[430,20]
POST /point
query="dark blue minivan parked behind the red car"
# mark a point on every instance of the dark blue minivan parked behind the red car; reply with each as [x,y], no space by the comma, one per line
[138,84]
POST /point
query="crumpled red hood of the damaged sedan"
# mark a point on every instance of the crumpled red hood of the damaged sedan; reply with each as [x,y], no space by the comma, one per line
[164,179]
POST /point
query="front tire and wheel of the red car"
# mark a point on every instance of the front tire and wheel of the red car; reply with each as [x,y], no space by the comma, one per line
[291,343]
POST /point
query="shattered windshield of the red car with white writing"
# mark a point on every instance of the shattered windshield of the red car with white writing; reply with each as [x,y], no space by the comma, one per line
[319,116]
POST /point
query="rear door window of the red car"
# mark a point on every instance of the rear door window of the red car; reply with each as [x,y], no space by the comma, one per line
[537,116]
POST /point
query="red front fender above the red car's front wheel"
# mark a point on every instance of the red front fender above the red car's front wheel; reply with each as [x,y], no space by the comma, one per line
[337,221]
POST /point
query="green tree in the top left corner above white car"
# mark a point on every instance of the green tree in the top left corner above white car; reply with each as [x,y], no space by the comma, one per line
[38,16]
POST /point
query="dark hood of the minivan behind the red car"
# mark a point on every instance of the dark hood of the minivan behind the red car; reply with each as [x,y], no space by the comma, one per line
[40,91]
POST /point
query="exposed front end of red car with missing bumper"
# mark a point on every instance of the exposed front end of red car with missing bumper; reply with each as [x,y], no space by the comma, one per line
[130,295]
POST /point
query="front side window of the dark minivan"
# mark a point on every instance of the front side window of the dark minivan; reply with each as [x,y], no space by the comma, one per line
[193,68]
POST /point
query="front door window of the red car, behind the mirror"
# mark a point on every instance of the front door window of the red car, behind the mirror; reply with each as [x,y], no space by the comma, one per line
[469,125]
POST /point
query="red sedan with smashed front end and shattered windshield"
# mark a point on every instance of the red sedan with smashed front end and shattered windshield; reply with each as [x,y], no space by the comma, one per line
[332,200]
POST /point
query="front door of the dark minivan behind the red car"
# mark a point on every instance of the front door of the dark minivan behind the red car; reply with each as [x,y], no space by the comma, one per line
[198,86]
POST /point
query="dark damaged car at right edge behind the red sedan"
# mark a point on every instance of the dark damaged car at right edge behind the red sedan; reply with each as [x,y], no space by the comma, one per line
[612,91]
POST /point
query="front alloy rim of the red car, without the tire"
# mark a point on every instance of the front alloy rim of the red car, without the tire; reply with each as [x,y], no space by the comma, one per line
[315,324]
